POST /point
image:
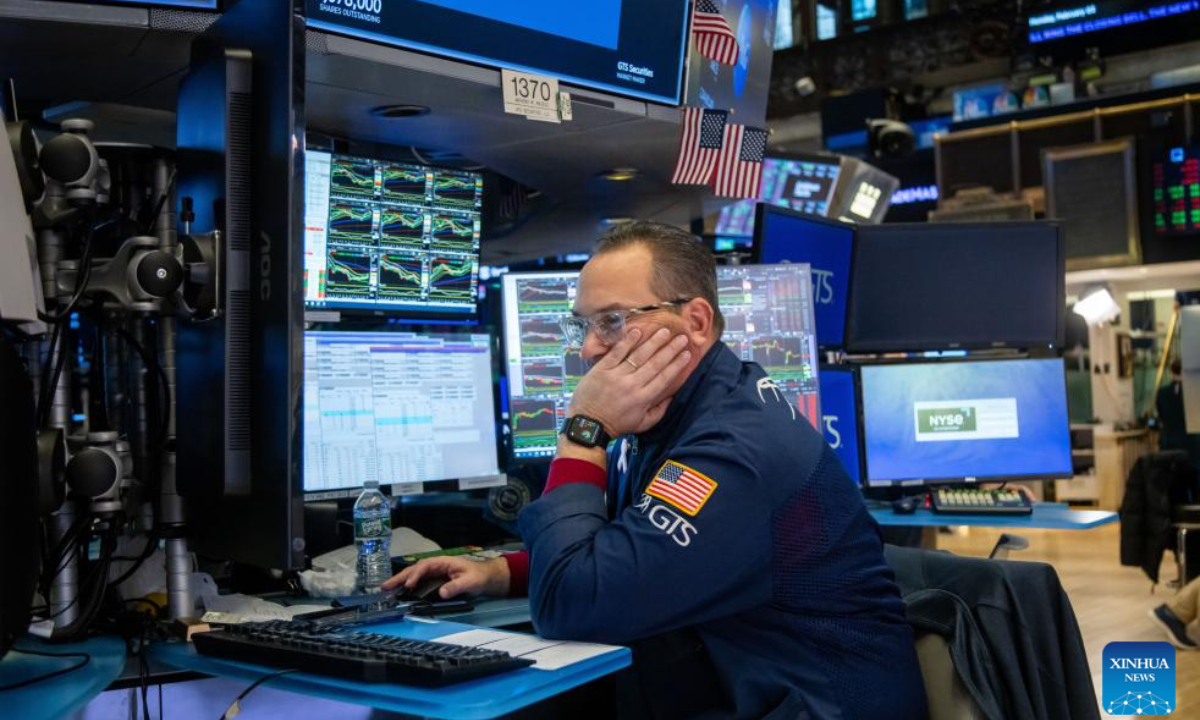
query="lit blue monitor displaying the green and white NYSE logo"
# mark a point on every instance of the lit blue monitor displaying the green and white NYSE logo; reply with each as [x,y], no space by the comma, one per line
[965,422]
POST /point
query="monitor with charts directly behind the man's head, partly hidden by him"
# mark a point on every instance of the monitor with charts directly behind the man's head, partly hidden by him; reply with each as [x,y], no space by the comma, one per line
[769,319]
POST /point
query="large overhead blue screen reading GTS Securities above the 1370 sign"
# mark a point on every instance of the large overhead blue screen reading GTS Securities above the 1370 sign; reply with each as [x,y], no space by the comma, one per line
[628,49]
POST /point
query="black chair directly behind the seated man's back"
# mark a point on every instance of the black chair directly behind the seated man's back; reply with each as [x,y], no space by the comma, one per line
[994,639]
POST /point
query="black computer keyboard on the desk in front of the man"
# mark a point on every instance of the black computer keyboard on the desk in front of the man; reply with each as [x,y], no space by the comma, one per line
[355,656]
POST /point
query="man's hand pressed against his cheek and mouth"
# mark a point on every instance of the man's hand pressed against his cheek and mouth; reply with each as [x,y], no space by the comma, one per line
[626,391]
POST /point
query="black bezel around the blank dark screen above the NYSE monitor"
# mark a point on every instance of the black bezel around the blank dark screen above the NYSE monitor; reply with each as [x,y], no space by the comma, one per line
[955,227]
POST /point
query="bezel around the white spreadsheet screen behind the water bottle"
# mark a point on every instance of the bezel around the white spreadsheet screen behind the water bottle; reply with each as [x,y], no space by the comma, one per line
[442,485]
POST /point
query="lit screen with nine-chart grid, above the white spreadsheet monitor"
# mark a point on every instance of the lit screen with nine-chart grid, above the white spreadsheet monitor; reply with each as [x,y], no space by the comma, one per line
[385,236]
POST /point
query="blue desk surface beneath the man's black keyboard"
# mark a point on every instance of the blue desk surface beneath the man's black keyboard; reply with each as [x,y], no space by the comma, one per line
[487,698]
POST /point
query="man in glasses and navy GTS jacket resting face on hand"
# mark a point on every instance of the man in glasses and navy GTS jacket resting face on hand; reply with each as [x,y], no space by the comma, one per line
[719,537]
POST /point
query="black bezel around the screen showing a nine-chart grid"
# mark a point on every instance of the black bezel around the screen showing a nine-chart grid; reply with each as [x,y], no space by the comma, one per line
[413,313]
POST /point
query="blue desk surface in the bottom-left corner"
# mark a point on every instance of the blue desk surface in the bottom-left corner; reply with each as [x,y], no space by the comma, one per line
[63,695]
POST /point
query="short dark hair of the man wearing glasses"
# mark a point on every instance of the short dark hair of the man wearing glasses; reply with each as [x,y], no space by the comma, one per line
[683,267]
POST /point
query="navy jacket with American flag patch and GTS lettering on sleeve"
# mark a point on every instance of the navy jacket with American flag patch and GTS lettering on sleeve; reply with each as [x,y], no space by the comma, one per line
[772,601]
